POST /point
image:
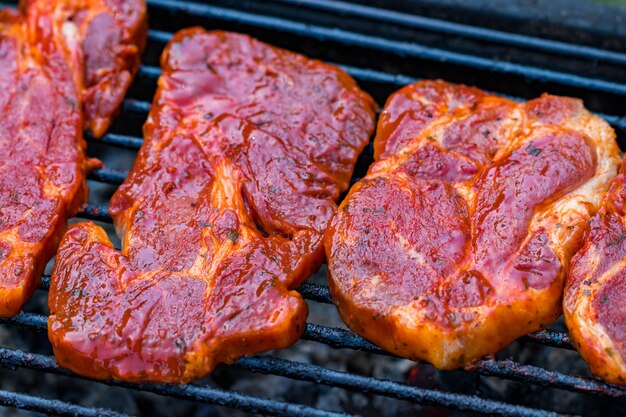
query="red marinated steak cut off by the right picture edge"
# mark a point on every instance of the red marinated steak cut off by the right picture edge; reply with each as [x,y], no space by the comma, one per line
[595,293]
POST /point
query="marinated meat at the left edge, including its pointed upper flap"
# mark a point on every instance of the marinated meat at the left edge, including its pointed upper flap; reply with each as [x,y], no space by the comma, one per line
[65,66]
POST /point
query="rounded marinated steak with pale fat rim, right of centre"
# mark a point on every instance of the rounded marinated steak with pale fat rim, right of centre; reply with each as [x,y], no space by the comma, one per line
[459,238]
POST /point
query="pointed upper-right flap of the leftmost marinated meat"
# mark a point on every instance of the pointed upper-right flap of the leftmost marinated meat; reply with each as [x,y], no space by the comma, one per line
[101,41]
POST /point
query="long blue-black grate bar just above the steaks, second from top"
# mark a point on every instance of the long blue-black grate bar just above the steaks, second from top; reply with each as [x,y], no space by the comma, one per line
[401,48]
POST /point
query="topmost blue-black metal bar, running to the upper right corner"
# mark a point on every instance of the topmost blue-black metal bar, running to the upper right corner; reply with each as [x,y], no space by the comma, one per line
[462,30]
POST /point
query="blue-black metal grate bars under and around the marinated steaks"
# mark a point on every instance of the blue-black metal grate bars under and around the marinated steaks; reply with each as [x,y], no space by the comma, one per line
[309,26]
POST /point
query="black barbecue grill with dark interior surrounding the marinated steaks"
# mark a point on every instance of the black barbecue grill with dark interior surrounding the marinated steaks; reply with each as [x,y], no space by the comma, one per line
[383,48]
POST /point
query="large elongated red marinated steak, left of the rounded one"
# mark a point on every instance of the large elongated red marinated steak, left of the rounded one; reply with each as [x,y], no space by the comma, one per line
[246,149]
